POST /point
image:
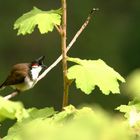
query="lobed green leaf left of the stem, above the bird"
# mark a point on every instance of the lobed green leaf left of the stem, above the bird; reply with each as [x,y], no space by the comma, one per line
[44,20]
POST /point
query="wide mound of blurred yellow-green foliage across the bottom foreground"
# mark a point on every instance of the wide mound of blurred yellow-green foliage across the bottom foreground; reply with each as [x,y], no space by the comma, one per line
[71,124]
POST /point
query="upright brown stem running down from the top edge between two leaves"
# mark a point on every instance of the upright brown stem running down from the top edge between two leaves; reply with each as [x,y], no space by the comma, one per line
[64,53]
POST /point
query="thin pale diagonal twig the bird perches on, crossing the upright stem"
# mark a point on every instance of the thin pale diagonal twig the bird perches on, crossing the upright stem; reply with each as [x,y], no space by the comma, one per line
[60,57]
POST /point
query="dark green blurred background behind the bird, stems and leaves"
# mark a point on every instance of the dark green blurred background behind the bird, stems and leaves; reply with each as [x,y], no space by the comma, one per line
[112,35]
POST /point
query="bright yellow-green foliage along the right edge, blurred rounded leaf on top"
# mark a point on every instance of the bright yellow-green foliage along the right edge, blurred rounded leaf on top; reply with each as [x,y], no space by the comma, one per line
[132,110]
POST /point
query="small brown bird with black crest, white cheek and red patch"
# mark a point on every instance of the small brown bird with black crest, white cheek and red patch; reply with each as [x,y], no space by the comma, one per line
[23,76]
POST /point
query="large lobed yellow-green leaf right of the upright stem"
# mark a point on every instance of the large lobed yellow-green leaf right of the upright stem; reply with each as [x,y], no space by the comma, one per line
[91,73]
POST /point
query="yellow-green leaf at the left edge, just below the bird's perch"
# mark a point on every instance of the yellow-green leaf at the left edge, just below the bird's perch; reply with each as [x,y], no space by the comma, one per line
[12,110]
